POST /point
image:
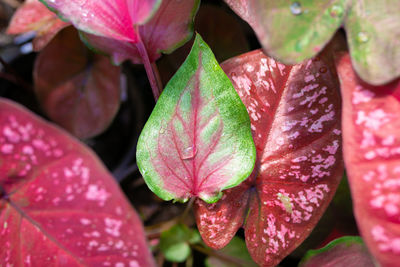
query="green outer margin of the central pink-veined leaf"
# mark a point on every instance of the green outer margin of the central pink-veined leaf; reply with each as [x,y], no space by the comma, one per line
[152,184]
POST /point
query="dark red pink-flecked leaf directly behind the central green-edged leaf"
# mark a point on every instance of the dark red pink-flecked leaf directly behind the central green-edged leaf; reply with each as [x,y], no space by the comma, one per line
[295,116]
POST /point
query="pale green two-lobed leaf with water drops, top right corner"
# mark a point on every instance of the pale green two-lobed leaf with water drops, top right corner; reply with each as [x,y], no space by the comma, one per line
[292,31]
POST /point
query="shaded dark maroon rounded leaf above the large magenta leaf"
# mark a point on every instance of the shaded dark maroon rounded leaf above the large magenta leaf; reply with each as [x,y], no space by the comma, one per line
[77,89]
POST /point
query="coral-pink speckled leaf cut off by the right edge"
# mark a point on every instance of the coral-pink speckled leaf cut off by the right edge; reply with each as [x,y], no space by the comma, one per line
[371,134]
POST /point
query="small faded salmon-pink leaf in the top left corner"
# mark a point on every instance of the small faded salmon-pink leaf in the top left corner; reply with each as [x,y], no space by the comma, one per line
[34,16]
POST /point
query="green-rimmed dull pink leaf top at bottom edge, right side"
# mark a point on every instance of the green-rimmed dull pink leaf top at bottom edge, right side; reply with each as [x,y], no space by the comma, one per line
[348,251]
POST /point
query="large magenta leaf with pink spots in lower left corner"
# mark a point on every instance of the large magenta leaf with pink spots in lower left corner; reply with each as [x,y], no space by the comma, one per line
[62,208]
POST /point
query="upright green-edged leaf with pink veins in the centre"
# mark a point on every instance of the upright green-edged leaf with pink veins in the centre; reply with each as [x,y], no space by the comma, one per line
[197,142]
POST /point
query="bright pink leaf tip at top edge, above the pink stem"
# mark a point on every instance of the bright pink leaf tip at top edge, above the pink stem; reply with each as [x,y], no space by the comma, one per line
[114,19]
